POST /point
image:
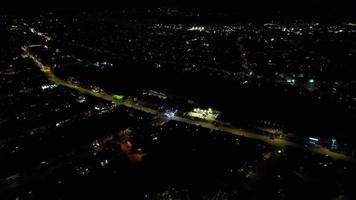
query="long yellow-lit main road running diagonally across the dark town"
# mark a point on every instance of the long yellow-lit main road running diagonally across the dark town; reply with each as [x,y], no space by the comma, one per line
[278,142]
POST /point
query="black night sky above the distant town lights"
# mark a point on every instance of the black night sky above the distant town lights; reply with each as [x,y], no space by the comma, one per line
[341,9]
